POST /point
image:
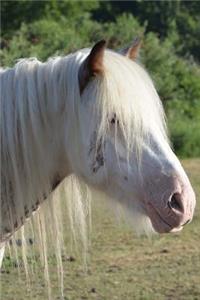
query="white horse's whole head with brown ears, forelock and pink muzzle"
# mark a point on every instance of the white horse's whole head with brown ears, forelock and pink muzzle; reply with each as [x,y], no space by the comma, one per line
[124,146]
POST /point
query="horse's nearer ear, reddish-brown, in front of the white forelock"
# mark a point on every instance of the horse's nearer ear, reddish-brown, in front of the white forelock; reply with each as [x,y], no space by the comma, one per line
[93,65]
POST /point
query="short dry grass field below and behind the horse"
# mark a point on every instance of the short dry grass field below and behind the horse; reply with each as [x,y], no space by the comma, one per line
[123,266]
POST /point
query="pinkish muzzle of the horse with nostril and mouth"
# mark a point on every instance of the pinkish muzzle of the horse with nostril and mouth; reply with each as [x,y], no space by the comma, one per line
[174,210]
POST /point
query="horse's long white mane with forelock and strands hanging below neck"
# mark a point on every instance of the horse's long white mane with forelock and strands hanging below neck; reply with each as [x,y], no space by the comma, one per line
[37,99]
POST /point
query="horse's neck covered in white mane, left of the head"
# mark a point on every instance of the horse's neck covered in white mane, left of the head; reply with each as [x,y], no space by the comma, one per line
[37,140]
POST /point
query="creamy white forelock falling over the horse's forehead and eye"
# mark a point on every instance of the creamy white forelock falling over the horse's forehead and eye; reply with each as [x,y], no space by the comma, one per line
[126,91]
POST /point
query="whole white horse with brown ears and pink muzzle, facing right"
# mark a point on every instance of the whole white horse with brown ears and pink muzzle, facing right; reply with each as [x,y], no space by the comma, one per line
[95,114]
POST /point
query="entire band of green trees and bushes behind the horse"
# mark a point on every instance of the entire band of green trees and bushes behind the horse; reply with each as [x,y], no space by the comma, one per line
[170,52]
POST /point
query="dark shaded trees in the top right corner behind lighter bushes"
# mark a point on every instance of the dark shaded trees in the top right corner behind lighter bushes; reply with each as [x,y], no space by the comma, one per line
[160,17]
